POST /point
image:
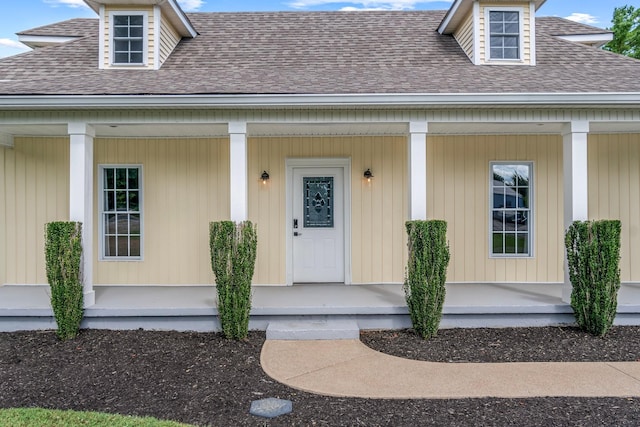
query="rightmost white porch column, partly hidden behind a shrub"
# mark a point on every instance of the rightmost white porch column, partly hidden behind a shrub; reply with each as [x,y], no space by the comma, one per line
[576,191]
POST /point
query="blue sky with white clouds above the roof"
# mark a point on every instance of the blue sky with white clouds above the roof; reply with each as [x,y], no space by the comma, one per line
[19,15]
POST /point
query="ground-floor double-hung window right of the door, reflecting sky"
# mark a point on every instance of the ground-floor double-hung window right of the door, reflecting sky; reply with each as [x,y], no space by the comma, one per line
[511,208]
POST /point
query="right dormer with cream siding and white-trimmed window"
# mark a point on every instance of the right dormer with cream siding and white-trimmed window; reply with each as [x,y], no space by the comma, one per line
[494,32]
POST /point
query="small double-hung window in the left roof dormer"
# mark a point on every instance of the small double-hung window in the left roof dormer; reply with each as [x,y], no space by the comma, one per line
[128,39]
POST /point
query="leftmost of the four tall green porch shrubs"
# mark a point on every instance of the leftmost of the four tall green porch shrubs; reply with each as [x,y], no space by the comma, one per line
[63,252]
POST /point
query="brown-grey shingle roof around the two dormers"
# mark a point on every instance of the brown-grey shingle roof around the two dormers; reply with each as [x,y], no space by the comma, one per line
[321,53]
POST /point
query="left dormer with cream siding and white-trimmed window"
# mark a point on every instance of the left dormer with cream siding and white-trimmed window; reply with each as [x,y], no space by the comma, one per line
[139,34]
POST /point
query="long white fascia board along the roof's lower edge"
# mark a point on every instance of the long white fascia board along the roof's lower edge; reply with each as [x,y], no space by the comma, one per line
[336,100]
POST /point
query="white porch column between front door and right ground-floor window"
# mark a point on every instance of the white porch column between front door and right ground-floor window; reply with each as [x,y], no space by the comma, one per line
[418,170]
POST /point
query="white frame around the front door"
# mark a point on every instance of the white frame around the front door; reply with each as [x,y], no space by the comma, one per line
[329,162]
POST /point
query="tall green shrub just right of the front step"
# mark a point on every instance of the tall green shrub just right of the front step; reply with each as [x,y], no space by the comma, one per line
[426,274]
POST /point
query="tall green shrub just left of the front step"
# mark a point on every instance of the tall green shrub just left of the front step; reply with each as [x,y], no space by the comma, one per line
[233,255]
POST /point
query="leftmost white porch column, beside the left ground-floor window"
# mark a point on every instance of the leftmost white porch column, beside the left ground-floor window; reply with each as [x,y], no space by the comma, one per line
[81,198]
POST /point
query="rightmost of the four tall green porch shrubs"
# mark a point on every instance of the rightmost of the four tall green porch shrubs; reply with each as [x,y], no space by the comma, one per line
[593,258]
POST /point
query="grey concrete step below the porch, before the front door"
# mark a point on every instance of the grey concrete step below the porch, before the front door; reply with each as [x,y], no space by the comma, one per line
[329,329]
